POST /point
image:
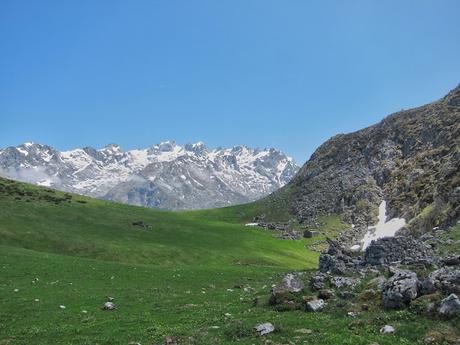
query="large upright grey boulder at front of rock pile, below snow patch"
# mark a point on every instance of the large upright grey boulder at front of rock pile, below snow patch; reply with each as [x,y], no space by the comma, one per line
[400,289]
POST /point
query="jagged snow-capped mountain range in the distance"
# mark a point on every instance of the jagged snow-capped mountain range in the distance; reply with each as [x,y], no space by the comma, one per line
[166,175]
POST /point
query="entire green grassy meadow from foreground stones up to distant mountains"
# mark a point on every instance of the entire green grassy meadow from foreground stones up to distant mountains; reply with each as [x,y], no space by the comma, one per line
[176,278]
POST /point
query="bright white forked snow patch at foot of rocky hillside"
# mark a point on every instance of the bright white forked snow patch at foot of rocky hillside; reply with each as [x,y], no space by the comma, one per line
[383,228]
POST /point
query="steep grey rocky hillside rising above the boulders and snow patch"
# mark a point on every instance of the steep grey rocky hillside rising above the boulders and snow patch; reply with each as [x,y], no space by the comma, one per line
[411,159]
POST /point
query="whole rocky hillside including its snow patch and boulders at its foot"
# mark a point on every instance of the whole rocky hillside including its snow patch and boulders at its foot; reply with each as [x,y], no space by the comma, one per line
[398,184]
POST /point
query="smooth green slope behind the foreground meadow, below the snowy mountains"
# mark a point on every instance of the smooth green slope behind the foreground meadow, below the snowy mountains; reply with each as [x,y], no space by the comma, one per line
[103,230]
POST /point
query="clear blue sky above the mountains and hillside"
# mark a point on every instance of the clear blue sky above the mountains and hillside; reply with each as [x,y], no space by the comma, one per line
[287,74]
